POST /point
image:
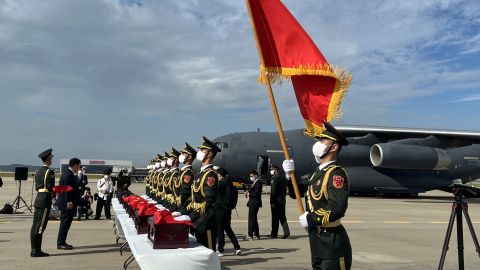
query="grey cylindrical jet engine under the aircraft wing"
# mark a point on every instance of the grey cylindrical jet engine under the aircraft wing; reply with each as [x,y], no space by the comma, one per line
[405,156]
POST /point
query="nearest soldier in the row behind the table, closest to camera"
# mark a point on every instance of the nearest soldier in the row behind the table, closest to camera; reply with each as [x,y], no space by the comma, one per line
[204,191]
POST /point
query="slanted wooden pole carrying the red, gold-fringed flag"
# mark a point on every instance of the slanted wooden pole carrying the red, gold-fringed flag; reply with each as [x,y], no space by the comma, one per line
[276,116]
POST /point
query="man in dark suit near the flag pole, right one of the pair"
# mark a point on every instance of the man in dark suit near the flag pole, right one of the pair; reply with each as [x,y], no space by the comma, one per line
[277,202]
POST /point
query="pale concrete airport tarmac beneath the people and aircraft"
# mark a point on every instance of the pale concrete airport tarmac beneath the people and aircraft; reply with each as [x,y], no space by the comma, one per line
[385,233]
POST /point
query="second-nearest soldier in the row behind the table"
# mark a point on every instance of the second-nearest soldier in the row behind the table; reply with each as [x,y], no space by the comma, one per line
[186,178]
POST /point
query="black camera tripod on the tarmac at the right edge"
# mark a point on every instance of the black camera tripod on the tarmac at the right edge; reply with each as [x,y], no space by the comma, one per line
[459,207]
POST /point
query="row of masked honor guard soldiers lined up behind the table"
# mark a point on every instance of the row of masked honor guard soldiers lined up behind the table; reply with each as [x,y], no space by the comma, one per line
[189,195]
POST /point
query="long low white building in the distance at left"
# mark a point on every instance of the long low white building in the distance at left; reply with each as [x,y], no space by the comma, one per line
[98,166]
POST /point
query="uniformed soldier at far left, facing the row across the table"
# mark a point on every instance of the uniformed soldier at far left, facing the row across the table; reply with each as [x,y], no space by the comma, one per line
[44,182]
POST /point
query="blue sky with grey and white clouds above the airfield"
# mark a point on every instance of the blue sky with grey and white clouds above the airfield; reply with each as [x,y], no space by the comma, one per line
[114,80]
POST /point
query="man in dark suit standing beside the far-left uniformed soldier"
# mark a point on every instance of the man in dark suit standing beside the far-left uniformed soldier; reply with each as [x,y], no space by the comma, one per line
[68,202]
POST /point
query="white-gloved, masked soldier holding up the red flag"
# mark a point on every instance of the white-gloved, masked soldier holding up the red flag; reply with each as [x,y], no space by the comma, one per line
[327,201]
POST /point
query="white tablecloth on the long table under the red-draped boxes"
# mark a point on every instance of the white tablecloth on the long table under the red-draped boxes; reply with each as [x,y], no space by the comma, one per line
[195,257]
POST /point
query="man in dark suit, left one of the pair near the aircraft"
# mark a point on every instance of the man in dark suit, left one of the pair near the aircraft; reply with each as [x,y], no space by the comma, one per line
[254,204]
